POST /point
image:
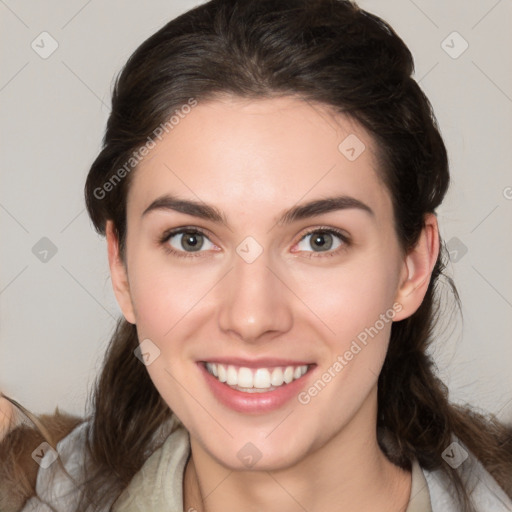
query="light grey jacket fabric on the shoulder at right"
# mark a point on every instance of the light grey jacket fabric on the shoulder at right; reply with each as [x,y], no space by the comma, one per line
[485,492]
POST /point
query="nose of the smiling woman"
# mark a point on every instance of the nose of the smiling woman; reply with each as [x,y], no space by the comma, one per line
[255,302]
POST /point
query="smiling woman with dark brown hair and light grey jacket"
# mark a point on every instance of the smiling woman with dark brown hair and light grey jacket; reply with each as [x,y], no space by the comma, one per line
[267,189]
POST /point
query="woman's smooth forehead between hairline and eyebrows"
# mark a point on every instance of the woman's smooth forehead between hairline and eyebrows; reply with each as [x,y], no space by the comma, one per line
[267,153]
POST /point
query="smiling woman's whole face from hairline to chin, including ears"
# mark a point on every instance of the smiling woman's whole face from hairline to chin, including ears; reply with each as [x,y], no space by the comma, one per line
[253,293]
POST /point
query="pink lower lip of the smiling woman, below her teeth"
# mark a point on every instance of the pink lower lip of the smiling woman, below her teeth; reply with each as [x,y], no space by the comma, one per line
[253,402]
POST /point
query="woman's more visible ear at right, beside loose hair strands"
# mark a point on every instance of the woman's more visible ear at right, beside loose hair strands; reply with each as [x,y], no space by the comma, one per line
[417,269]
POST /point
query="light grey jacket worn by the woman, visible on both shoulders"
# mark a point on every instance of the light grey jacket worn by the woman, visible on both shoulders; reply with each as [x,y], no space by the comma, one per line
[157,487]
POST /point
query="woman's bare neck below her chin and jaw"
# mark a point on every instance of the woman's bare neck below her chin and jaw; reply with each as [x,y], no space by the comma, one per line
[349,472]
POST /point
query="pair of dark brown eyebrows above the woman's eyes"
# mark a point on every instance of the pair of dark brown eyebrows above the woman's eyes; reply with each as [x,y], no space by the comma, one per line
[296,213]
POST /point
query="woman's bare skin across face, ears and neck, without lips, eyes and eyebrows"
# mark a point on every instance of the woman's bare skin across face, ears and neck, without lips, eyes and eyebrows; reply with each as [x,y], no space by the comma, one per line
[254,159]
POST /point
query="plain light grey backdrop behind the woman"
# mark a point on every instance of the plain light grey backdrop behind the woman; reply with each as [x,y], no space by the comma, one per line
[58,309]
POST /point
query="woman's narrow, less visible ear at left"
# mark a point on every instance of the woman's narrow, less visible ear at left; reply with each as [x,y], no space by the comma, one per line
[118,274]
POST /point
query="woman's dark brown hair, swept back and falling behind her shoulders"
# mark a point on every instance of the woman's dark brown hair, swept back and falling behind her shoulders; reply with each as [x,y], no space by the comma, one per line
[325,51]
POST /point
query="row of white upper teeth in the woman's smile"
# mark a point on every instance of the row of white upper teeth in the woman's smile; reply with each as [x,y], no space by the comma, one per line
[250,380]
